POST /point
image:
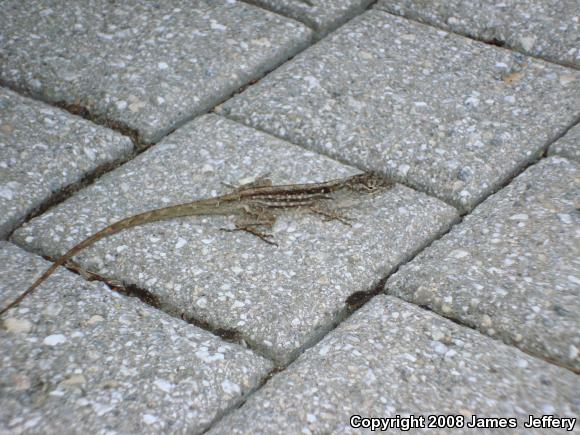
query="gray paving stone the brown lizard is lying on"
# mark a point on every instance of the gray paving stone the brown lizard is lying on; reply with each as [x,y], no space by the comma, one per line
[277,298]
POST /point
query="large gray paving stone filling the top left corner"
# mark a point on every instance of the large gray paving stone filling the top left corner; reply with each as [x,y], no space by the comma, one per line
[148,65]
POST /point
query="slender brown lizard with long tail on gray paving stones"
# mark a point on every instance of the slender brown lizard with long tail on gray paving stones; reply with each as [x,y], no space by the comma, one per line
[258,201]
